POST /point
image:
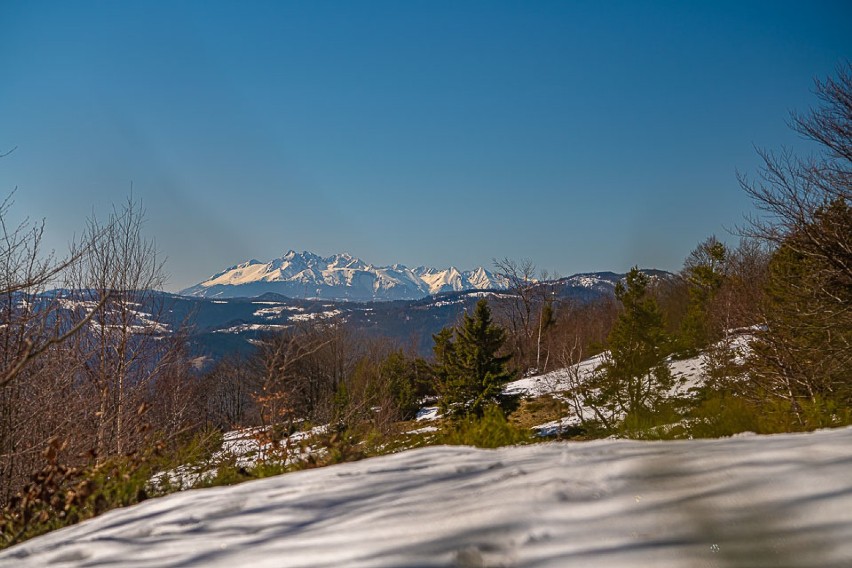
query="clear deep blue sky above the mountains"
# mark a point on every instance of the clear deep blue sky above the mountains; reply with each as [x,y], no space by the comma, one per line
[583,135]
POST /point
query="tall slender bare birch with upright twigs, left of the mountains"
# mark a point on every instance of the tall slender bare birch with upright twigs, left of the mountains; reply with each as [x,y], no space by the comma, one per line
[123,346]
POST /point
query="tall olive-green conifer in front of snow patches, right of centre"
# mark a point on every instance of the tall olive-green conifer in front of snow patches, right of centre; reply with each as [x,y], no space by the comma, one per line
[636,378]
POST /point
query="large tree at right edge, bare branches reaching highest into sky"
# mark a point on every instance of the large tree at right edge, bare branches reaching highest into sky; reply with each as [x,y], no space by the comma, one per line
[804,352]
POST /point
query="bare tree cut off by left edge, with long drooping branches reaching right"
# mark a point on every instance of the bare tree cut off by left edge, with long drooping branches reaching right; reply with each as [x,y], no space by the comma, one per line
[38,399]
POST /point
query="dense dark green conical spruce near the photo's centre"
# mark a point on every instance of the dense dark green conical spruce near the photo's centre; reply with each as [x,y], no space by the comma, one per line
[470,373]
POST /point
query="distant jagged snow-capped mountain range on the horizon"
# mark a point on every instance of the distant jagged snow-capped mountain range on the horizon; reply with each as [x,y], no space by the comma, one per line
[340,277]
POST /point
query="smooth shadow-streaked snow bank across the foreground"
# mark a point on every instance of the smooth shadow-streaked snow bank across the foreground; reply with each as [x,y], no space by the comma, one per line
[782,500]
